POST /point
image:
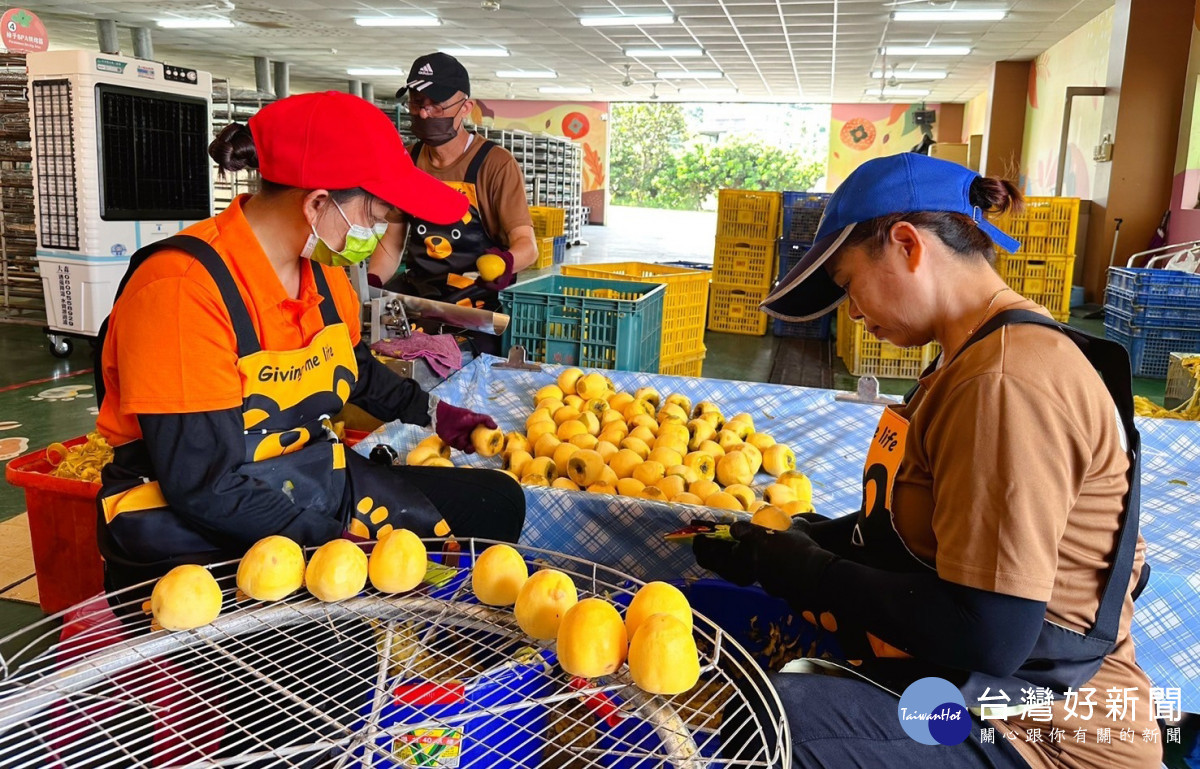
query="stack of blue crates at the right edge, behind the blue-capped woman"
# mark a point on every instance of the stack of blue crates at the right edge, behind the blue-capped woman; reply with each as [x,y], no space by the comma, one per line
[1153,314]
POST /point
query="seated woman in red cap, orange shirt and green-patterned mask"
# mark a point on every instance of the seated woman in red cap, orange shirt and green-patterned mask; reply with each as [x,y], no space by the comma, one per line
[229,352]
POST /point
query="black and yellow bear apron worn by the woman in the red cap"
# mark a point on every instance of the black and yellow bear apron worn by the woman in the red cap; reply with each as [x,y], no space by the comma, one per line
[289,400]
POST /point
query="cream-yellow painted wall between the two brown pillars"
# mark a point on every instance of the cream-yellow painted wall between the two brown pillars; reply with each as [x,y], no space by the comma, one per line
[1077,61]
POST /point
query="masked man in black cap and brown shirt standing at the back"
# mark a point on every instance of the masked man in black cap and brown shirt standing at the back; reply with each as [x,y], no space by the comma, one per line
[436,257]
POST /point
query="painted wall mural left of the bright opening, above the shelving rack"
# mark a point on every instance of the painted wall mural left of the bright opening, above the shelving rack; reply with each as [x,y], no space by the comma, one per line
[586,123]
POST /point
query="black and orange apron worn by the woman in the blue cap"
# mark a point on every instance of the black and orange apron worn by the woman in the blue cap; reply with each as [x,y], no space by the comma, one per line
[1061,658]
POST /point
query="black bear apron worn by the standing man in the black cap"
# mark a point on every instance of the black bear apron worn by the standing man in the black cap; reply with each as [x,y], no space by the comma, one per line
[437,256]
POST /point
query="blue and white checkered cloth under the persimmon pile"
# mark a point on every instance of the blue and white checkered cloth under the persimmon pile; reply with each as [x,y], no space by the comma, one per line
[830,440]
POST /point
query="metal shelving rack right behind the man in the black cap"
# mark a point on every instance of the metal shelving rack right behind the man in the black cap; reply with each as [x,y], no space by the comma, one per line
[553,169]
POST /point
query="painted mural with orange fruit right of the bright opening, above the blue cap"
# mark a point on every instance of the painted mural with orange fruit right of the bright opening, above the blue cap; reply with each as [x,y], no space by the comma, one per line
[862,133]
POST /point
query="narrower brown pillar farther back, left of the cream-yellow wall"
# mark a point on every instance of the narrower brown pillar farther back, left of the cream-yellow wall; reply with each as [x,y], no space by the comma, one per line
[1005,134]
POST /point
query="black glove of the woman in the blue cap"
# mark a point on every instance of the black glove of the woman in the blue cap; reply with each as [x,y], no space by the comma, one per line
[788,564]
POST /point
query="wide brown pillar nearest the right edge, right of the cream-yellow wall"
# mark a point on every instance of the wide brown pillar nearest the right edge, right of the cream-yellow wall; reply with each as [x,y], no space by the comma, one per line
[1149,52]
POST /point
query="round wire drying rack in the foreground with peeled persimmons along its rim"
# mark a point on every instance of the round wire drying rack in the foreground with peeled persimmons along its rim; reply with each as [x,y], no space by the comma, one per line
[430,678]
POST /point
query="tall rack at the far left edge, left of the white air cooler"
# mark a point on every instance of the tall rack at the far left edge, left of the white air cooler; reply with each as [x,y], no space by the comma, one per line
[22,299]
